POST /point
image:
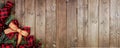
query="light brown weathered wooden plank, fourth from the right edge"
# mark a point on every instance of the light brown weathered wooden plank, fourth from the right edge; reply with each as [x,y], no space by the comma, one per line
[82,22]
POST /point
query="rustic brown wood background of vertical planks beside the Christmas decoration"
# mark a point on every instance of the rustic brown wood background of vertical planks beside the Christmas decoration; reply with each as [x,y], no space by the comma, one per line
[72,23]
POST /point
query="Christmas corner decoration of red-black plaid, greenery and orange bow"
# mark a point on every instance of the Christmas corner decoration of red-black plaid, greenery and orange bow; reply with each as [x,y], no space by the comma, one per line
[13,35]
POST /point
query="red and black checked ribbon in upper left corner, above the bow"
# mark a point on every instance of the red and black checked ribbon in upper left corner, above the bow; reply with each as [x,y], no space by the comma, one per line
[5,12]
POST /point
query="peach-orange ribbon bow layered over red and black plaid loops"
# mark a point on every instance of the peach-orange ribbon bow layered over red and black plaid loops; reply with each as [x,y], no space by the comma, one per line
[13,28]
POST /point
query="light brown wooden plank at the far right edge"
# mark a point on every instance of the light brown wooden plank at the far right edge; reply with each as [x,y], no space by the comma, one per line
[115,23]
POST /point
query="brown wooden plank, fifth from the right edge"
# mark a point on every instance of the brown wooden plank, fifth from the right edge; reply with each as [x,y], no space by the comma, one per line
[72,23]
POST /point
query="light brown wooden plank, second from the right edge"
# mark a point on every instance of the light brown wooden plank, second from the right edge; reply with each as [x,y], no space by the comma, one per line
[103,23]
